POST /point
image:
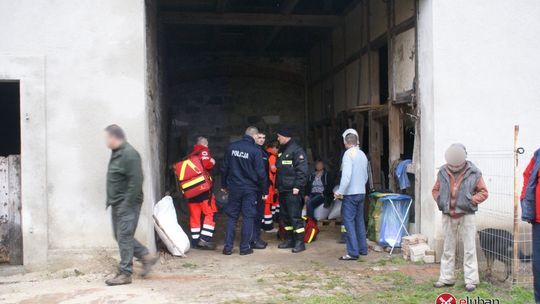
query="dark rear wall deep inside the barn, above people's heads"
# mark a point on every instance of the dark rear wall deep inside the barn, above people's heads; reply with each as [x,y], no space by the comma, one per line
[221,107]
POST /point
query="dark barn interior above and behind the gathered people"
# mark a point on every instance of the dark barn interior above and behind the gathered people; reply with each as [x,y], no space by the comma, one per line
[317,66]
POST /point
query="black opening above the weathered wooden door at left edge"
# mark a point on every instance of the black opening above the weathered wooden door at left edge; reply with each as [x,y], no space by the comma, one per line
[10,127]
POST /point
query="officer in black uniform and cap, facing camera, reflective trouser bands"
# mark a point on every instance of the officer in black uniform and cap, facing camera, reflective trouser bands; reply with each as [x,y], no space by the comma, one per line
[291,179]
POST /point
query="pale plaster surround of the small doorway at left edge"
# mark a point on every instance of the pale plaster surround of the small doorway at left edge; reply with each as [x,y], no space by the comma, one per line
[30,72]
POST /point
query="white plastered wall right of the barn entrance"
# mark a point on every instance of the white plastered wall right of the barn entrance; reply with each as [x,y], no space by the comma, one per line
[479,74]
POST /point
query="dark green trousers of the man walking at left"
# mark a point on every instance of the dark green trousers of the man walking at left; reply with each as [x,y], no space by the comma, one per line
[124,219]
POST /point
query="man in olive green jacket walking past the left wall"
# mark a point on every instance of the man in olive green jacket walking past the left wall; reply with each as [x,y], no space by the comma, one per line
[125,196]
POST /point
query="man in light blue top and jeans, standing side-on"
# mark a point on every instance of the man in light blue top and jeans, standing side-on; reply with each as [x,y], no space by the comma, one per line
[352,186]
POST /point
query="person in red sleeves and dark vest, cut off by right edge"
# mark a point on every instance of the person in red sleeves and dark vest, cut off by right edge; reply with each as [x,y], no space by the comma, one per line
[530,200]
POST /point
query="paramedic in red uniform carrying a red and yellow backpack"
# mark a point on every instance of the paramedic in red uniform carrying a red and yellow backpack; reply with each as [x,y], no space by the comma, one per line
[204,204]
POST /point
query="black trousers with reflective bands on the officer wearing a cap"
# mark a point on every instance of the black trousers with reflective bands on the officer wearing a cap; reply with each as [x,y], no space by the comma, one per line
[291,214]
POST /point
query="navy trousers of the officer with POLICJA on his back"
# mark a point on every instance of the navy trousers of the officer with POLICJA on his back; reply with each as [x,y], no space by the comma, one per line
[242,202]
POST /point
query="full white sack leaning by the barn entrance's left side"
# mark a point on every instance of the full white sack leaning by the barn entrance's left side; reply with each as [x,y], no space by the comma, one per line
[167,227]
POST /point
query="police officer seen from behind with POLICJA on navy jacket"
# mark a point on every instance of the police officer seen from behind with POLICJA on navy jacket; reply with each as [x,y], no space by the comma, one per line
[244,178]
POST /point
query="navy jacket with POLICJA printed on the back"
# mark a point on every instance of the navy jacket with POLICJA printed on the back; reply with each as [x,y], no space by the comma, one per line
[243,167]
